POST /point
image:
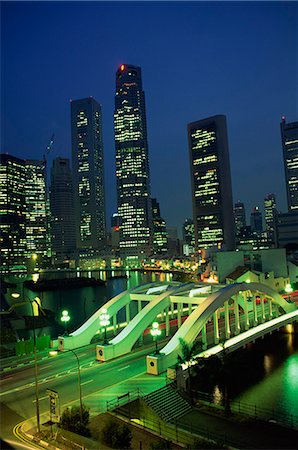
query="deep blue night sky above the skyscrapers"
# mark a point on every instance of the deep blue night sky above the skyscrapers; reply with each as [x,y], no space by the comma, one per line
[198,59]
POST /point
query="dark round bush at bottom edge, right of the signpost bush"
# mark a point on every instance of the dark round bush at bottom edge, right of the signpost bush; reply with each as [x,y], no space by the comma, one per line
[116,435]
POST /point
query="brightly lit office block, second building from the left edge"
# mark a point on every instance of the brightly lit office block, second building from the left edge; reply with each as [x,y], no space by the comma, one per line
[36,214]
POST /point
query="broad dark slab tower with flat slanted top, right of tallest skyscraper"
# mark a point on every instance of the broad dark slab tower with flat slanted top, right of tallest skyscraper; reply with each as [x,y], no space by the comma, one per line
[211,183]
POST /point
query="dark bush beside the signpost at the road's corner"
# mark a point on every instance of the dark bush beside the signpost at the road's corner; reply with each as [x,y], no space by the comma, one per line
[71,420]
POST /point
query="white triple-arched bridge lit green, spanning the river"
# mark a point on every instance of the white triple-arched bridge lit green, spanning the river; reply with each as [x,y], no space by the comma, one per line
[235,313]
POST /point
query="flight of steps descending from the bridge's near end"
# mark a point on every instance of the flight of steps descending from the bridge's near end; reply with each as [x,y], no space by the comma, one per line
[167,403]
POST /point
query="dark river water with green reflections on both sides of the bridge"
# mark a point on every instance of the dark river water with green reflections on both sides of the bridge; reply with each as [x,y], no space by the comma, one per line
[264,373]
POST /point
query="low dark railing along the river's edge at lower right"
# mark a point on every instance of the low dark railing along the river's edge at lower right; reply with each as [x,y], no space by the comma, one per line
[254,411]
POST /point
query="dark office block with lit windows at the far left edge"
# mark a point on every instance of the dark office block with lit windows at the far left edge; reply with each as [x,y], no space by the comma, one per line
[13,211]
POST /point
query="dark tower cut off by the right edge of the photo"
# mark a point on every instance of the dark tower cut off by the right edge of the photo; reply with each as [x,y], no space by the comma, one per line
[289,137]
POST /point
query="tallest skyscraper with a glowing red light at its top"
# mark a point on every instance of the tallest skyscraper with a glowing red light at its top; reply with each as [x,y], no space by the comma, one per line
[132,163]
